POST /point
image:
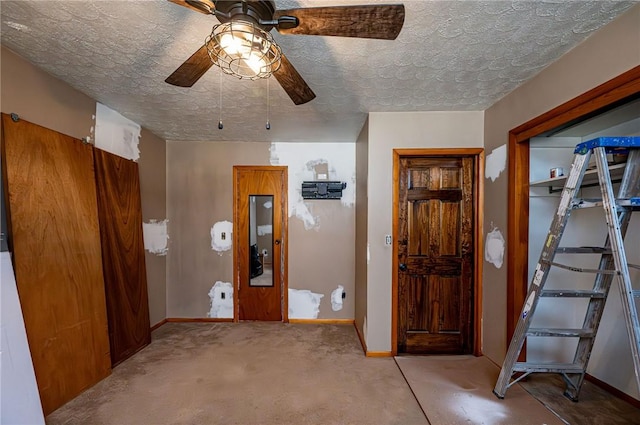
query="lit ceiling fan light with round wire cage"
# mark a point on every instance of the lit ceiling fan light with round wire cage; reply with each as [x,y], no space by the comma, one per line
[244,50]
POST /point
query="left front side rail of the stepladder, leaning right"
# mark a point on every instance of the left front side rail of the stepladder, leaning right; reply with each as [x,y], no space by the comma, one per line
[573,183]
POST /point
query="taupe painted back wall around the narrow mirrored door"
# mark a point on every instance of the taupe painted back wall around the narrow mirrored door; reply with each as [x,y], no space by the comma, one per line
[200,193]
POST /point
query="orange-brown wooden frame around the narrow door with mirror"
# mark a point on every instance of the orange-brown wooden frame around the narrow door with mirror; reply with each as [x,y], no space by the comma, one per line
[285,239]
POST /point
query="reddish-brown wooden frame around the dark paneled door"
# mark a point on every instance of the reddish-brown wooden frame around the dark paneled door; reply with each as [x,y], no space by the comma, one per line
[478,219]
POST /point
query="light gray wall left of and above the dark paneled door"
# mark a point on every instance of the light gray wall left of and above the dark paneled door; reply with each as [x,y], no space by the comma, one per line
[388,131]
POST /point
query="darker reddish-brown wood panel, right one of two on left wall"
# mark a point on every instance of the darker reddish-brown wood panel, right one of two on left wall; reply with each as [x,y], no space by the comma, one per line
[125,276]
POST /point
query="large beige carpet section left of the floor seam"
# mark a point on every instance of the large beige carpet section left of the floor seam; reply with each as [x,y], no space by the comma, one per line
[248,373]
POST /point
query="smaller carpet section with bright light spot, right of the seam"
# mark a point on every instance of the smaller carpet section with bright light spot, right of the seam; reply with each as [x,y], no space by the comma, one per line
[458,390]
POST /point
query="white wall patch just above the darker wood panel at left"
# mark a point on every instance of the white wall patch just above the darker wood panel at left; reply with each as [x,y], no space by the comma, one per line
[116,134]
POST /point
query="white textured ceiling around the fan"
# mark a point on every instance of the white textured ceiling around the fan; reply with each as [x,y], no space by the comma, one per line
[450,55]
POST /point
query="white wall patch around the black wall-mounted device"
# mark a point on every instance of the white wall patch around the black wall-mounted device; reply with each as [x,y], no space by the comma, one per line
[313,161]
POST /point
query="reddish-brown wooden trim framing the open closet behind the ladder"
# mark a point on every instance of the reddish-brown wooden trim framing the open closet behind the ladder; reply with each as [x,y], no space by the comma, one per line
[588,104]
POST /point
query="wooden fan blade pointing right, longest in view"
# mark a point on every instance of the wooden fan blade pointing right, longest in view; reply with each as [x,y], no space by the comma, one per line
[369,21]
